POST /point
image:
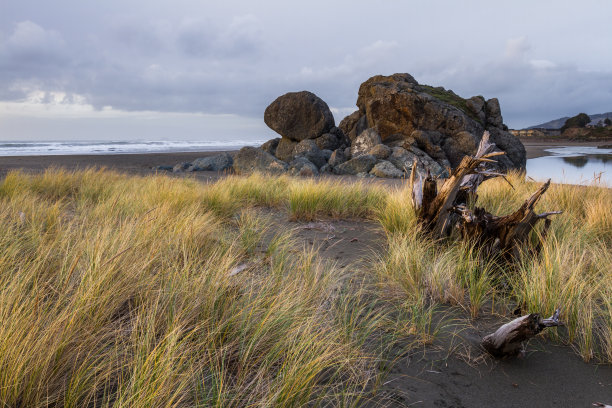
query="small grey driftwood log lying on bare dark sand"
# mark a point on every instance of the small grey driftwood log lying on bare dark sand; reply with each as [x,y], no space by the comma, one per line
[509,339]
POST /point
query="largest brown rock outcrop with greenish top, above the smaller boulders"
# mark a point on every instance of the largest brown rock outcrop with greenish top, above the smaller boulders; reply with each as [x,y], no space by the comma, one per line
[397,106]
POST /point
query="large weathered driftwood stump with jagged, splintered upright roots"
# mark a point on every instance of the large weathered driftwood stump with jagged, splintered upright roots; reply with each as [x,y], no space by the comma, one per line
[452,207]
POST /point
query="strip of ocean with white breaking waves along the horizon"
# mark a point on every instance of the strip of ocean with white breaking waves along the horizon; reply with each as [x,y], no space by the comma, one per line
[118,147]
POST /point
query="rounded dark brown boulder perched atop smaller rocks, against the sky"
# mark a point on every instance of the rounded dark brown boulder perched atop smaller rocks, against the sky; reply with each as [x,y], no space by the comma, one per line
[299,115]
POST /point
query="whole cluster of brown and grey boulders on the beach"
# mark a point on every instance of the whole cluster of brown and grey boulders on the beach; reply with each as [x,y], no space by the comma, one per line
[397,122]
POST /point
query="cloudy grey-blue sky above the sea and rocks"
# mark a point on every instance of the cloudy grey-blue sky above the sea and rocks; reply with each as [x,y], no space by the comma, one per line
[188,69]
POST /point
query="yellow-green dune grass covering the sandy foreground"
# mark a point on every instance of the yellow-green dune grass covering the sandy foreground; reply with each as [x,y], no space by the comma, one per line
[119,290]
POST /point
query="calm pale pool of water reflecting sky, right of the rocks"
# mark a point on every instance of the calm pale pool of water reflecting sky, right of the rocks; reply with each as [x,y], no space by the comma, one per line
[574,165]
